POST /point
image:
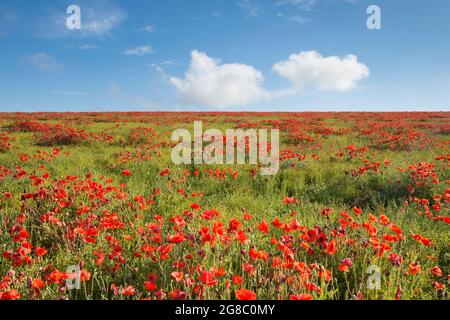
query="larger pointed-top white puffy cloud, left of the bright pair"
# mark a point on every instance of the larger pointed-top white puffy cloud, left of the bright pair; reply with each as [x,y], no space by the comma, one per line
[209,83]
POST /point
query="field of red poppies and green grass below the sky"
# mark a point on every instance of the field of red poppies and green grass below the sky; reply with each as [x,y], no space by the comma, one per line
[358,210]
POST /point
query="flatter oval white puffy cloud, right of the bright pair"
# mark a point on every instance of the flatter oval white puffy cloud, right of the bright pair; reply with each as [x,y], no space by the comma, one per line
[309,69]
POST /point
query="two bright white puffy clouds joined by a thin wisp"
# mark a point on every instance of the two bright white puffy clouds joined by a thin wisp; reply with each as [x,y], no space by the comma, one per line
[207,82]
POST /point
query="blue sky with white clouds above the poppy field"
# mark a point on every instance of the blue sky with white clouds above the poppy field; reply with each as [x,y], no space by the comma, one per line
[227,55]
